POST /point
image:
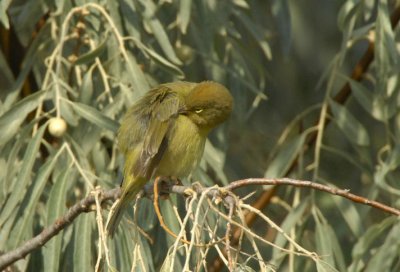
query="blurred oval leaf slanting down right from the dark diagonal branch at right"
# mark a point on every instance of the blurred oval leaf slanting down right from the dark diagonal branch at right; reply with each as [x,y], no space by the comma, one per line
[350,126]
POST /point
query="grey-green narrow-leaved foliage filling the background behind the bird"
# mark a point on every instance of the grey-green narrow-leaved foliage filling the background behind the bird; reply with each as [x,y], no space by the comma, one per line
[284,61]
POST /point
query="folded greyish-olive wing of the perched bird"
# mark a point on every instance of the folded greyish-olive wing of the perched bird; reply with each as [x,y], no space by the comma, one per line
[165,107]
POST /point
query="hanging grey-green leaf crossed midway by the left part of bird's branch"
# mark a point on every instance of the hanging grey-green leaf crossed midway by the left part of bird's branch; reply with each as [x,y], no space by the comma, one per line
[56,208]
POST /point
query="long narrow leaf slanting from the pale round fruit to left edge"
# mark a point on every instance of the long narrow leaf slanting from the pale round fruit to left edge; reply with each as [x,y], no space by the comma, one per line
[24,176]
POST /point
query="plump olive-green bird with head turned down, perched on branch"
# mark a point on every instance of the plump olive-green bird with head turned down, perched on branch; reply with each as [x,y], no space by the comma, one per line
[164,133]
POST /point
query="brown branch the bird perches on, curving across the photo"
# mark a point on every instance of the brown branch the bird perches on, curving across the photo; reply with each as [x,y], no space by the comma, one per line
[85,204]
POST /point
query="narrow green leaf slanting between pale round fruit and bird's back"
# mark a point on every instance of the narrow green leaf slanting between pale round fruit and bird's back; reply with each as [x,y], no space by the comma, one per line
[93,115]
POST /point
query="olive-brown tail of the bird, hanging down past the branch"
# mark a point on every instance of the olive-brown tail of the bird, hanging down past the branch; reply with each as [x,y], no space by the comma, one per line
[128,194]
